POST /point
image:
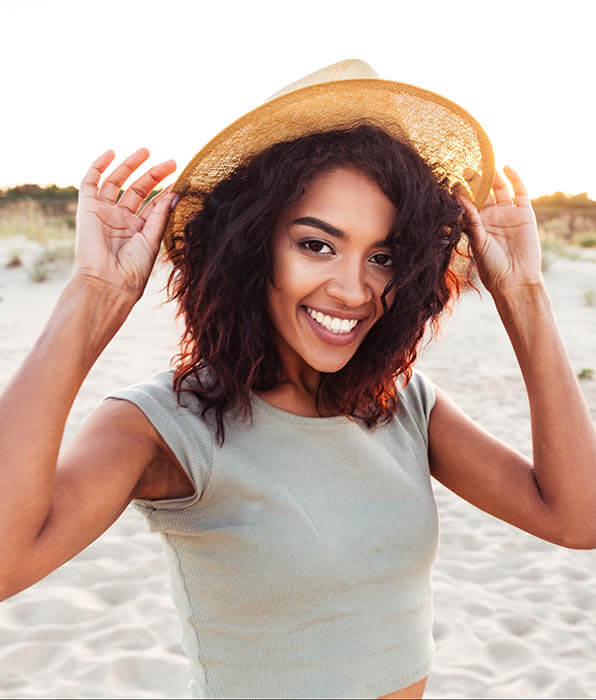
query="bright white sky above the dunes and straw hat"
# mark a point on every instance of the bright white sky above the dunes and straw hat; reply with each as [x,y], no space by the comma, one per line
[81,77]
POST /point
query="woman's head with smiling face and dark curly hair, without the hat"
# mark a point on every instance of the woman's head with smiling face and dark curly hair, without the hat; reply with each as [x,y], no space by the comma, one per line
[350,224]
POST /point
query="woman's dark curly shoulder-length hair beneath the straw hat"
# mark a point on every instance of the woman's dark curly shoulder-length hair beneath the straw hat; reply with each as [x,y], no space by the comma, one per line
[220,276]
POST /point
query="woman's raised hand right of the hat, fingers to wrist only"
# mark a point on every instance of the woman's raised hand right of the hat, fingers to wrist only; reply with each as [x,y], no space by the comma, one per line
[504,237]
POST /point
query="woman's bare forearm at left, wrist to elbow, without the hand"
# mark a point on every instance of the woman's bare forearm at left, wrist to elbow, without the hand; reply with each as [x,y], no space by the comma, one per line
[35,405]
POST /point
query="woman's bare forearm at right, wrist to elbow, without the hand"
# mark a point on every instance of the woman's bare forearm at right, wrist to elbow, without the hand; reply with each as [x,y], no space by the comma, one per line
[563,435]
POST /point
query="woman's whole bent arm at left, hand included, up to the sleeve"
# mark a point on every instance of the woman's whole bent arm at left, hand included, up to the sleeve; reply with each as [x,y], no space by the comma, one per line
[115,251]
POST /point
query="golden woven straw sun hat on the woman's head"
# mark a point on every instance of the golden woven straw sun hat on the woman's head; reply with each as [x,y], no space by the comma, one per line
[334,97]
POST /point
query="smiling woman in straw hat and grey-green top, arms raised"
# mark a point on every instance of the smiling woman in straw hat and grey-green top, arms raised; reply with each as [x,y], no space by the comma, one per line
[287,459]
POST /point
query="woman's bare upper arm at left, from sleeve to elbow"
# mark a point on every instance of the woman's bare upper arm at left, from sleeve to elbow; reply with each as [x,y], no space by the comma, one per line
[109,461]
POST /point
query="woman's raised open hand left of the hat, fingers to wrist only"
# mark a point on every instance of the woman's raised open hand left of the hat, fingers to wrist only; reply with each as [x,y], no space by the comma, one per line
[117,244]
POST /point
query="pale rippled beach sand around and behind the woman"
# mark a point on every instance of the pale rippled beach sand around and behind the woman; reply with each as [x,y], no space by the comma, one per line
[515,616]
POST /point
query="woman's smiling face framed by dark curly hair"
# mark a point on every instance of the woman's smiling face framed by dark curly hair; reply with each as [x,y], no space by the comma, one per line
[331,264]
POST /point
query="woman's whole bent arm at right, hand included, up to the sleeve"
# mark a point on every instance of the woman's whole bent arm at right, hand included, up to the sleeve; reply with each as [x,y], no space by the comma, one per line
[555,496]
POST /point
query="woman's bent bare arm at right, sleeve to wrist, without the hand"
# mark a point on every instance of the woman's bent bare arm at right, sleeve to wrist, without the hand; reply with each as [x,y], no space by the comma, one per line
[553,496]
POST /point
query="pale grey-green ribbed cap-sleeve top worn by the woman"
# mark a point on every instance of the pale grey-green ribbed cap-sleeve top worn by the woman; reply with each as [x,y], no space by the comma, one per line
[301,565]
